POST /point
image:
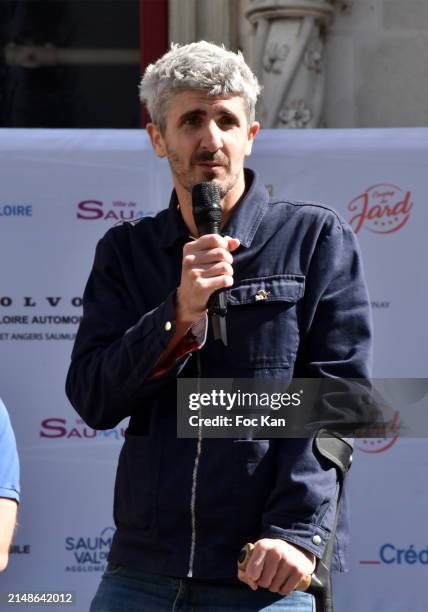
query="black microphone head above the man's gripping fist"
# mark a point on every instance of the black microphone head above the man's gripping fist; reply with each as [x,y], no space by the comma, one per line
[207,208]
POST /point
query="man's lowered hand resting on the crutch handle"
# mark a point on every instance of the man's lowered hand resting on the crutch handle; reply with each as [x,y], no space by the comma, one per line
[277,565]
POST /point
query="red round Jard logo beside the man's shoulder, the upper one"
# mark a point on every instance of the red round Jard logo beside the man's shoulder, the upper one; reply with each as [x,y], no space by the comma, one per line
[382,209]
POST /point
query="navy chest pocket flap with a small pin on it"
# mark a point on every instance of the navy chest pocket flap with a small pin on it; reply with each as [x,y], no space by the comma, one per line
[277,288]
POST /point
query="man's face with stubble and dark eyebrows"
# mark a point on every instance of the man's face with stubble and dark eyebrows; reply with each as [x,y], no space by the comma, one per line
[205,138]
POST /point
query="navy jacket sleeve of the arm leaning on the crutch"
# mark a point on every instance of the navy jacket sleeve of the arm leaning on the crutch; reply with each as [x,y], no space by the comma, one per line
[335,343]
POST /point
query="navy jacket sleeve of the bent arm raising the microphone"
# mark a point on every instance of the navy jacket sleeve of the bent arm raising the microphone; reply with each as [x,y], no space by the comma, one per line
[117,347]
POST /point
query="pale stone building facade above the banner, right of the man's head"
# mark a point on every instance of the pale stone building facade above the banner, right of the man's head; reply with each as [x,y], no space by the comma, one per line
[323,63]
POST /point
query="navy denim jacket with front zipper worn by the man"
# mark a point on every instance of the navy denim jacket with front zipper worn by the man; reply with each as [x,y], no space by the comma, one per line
[315,322]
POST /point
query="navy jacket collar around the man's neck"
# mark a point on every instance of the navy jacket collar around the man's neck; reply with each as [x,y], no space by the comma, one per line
[243,223]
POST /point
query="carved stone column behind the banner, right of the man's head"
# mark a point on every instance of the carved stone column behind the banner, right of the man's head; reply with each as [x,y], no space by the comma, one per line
[287,51]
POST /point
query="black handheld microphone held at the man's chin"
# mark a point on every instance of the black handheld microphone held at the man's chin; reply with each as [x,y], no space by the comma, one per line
[207,214]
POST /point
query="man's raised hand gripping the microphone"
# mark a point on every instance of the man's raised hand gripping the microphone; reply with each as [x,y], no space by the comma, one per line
[207,267]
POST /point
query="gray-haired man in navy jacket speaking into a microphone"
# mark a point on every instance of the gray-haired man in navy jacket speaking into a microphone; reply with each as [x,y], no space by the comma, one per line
[298,306]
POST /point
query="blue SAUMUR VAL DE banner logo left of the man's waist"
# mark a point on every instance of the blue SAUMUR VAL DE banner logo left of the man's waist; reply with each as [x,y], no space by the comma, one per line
[89,553]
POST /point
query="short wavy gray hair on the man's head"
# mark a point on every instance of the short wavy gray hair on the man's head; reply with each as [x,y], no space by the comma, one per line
[200,65]
